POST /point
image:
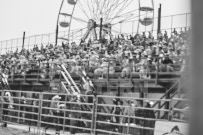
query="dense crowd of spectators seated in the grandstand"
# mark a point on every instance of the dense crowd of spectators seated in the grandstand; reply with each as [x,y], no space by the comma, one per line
[125,54]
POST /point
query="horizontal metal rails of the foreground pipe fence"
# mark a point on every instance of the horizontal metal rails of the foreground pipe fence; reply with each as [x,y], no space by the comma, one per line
[66,114]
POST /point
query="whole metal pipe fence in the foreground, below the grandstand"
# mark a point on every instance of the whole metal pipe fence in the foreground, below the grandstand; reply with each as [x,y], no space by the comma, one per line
[113,115]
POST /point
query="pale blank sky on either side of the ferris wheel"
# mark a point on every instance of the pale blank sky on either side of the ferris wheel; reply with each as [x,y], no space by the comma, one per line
[39,16]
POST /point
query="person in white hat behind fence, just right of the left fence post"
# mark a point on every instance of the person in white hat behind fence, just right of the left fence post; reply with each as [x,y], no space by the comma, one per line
[55,111]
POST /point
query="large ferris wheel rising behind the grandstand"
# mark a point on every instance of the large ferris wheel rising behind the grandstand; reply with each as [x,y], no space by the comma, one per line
[98,19]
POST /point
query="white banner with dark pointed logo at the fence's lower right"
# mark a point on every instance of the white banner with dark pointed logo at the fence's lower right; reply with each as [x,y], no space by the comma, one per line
[170,128]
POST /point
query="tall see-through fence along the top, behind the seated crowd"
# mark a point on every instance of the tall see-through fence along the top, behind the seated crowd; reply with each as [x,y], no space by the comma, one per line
[170,22]
